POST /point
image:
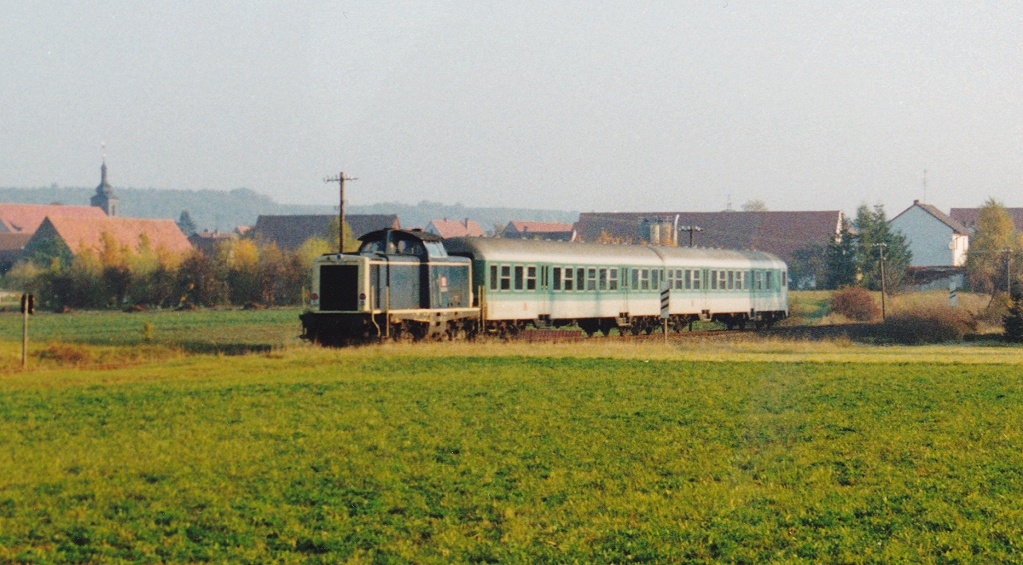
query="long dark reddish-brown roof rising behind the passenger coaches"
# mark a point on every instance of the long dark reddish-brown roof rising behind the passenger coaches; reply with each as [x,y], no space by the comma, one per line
[777,233]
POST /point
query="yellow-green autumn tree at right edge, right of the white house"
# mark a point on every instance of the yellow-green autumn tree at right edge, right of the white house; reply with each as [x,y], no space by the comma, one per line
[995,241]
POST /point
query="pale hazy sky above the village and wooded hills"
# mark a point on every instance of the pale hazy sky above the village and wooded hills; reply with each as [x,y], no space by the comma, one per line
[576,106]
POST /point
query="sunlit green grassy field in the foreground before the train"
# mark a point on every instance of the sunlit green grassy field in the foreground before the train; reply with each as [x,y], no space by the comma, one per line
[745,451]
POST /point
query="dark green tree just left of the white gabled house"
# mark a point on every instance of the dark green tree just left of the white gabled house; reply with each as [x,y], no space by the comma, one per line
[875,235]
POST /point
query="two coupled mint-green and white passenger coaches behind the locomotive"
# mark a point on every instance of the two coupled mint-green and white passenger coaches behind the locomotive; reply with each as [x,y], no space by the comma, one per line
[603,287]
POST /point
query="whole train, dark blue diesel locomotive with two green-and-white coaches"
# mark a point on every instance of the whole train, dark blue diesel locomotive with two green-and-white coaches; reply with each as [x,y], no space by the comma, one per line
[410,285]
